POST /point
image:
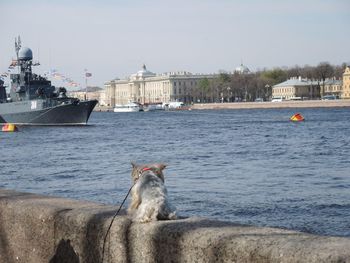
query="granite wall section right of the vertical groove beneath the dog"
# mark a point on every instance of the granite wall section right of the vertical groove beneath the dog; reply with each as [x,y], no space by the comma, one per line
[201,240]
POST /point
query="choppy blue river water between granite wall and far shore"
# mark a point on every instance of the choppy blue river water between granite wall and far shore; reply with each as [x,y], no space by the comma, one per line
[245,166]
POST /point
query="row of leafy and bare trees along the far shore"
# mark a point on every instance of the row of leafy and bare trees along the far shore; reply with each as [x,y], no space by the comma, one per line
[226,87]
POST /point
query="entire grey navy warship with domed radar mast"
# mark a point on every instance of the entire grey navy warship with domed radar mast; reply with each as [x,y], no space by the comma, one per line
[34,101]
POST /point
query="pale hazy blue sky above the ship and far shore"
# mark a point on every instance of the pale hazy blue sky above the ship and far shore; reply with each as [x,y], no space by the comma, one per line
[114,38]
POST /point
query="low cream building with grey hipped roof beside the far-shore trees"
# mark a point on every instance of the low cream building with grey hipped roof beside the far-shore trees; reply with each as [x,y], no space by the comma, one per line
[297,88]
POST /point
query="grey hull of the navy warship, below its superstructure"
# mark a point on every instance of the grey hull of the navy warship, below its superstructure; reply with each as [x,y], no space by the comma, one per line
[65,114]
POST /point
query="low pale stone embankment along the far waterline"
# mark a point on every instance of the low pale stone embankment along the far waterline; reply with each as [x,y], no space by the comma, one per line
[261,105]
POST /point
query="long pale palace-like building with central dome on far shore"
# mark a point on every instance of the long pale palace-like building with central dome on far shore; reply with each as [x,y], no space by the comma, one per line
[146,87]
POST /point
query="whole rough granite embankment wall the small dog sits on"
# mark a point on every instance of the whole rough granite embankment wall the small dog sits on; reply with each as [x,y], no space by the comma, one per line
[36,228]
